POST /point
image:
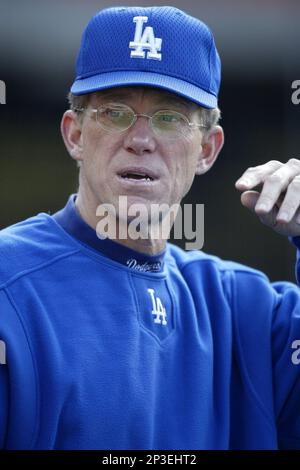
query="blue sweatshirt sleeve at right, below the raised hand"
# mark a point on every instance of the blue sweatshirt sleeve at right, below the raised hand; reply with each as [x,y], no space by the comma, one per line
[266,319]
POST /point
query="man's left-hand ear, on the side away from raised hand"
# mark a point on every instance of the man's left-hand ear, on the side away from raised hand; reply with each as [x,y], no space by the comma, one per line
[71,130]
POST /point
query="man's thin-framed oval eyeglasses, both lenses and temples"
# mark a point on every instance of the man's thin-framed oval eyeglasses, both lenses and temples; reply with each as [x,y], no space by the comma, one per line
[118,118]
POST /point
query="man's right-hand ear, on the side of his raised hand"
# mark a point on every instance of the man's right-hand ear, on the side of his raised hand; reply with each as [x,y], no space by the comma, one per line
[212,143]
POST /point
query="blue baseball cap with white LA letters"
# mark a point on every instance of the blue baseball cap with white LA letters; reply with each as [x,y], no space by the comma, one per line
[160,47]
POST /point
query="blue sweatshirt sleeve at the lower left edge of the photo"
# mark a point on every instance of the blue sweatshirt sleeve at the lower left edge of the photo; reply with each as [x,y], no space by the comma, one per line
[18,391]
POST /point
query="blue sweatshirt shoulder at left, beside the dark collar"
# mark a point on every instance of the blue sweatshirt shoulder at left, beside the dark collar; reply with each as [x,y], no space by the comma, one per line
[30,244]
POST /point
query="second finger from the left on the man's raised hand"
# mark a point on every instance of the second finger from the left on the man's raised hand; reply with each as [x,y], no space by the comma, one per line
[274,185]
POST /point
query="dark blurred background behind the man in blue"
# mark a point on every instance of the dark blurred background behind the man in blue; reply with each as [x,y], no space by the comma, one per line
[259,43]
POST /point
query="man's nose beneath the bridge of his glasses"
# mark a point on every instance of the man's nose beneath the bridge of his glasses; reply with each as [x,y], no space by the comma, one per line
[139,138]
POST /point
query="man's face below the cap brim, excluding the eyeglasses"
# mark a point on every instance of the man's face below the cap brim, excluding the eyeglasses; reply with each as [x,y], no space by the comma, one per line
[106,158]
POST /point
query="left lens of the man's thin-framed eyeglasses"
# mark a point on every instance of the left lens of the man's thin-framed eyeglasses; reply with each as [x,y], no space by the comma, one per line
[115,118]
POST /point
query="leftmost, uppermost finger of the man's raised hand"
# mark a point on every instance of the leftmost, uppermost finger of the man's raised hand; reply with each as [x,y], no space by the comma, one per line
[257,175]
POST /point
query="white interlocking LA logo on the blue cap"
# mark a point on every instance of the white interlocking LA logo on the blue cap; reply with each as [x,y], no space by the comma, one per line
[144,40]
